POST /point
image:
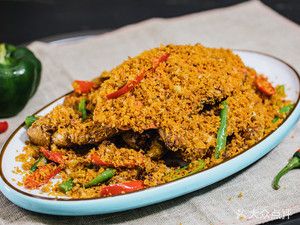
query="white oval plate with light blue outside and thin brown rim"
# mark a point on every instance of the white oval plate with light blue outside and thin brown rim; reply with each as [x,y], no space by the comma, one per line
[276,70]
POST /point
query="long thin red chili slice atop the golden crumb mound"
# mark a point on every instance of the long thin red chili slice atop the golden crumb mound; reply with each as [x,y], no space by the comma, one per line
[133,83]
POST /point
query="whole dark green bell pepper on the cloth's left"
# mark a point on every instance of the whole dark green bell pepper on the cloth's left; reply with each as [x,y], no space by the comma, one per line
[20,73]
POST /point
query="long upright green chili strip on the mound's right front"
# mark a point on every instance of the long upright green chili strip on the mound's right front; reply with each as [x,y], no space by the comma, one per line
[222,134]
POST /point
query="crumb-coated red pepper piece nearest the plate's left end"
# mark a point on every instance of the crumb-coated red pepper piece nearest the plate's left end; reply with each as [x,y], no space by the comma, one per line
[41,176]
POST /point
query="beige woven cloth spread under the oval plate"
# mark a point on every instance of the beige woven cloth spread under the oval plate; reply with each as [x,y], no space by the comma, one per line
[245,198]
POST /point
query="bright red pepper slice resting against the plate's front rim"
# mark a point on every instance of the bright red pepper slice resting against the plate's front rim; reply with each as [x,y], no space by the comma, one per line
[122,188]
